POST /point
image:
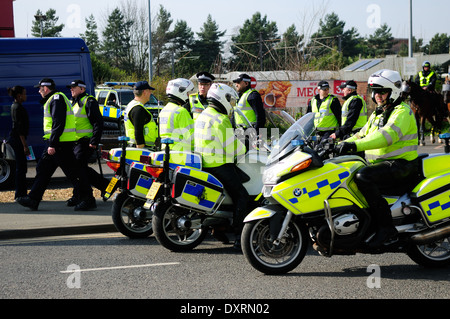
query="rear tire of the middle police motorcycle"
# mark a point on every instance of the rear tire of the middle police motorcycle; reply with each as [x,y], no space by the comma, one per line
[169,234]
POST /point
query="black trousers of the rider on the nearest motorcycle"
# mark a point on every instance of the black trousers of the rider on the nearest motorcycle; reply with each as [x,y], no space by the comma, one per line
[394,177]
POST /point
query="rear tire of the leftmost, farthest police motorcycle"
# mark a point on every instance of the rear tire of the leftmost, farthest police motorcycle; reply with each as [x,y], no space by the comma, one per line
[123,209]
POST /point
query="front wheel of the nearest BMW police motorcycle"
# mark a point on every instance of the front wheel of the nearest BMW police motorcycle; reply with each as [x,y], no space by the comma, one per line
[270,258]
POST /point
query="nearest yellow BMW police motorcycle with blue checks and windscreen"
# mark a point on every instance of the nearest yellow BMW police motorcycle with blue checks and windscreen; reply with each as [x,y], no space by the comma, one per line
[316,200]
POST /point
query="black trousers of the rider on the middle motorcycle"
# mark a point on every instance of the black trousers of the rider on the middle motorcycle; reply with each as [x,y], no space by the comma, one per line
[228,175]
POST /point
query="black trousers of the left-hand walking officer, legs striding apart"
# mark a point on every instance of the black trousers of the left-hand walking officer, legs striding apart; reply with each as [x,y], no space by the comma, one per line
[64,158]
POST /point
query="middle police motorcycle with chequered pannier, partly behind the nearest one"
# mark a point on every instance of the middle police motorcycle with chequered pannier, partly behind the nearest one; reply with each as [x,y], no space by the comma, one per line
[195,201]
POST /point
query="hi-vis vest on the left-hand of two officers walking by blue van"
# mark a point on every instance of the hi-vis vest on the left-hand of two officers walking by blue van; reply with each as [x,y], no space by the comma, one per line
[69,134]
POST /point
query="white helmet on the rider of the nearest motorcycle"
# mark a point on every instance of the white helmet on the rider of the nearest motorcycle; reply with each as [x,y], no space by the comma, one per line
[386,80]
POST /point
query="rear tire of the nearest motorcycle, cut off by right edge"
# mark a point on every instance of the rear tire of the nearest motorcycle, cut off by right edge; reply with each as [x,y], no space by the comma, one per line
[434,255]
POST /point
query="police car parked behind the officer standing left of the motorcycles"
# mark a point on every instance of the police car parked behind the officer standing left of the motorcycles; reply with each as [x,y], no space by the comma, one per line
[113,98]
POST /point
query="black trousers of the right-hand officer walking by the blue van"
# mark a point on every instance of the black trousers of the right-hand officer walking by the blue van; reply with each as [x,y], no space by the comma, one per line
[82,153]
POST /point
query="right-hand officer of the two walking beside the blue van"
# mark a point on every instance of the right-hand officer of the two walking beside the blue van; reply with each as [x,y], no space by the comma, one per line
[89,128]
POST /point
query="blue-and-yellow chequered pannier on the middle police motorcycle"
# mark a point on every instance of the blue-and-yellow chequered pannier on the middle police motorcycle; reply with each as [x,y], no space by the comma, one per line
[197,189]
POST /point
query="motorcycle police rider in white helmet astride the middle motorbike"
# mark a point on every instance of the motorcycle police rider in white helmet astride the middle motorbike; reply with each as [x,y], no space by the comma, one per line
[216,142]
